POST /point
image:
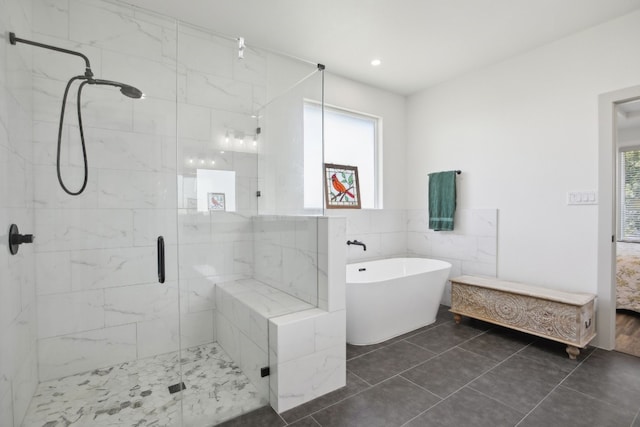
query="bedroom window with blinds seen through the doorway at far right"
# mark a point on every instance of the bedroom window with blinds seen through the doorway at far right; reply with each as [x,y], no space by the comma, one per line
[630,194]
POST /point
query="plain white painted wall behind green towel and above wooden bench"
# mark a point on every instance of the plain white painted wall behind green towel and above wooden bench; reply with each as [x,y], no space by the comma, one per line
[524,132]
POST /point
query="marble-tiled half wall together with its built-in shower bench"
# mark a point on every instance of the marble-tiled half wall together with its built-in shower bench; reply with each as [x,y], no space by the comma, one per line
[260,325]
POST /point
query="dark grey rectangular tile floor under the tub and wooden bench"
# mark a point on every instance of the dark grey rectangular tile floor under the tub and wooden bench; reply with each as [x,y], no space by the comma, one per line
[472,374]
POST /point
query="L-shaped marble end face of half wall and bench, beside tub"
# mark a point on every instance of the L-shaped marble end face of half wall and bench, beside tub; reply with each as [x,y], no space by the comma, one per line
[307,348]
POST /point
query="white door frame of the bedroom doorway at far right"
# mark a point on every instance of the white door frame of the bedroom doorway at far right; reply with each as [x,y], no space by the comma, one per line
[606,305]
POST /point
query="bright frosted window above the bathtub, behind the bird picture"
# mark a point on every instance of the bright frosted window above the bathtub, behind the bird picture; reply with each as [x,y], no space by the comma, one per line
[350,139]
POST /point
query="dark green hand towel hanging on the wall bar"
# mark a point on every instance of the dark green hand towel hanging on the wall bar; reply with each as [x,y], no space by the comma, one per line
[442,200]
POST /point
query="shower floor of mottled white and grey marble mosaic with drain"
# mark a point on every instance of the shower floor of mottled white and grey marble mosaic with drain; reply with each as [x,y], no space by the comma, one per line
[136,393]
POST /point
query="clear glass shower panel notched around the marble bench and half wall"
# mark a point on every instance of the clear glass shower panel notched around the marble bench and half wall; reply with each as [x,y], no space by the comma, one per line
[240,134]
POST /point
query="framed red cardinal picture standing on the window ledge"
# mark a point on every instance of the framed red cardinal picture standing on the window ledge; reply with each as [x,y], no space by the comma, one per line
[342,189]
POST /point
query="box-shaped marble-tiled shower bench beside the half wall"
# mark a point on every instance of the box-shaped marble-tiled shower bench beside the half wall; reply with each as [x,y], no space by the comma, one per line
[260,326]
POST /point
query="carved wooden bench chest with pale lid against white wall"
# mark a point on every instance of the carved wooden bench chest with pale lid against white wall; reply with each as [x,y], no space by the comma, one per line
[560,316]
